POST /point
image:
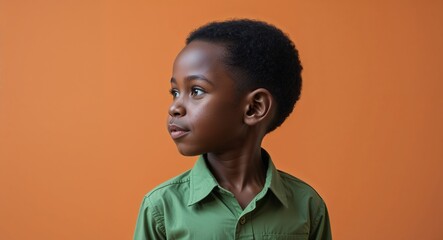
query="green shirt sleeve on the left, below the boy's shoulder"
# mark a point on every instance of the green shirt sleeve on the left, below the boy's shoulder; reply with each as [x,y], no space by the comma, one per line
[149,223]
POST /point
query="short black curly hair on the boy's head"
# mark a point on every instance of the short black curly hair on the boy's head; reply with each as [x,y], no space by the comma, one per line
[261,56]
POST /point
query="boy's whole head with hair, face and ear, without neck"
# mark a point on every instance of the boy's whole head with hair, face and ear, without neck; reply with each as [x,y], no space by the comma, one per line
[233,82]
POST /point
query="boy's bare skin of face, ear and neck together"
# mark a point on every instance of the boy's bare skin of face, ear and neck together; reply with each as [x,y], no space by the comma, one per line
[209,115]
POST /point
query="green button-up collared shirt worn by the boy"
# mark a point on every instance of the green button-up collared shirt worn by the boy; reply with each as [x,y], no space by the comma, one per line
[194,206]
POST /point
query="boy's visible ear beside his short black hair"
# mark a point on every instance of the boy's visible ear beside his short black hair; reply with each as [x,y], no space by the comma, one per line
[259,106]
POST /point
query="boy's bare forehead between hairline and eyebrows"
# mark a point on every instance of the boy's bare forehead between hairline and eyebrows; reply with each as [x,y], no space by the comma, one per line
[202,57]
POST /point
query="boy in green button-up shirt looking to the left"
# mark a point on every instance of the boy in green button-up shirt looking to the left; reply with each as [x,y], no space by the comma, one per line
[234,82]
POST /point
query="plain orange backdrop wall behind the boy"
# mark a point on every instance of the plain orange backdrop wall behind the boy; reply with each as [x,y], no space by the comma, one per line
[84,98]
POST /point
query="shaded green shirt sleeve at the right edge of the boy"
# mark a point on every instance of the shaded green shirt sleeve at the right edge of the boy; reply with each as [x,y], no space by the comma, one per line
[321,229]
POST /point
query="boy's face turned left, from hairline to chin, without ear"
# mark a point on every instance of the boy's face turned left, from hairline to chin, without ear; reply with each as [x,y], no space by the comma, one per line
[206,114]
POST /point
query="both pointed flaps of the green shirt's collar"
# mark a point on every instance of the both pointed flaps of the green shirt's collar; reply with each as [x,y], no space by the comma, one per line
[202,182]
